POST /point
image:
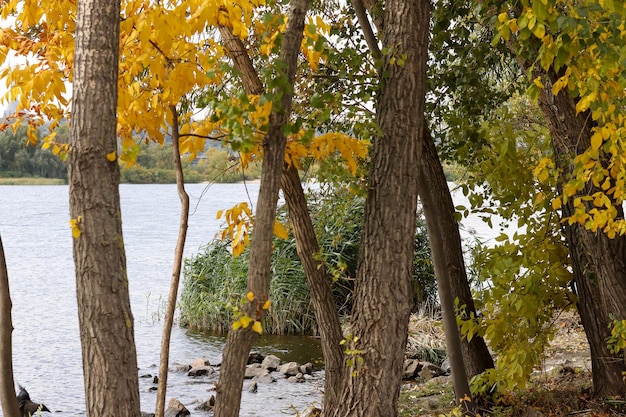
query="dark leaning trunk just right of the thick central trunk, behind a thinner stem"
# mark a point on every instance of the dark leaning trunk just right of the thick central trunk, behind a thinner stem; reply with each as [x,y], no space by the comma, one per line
[476,356]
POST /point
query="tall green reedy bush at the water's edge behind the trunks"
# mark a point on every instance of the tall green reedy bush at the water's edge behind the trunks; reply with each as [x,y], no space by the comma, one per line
[214,281]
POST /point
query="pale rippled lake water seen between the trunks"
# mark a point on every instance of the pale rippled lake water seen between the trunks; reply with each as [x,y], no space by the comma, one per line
[47,357]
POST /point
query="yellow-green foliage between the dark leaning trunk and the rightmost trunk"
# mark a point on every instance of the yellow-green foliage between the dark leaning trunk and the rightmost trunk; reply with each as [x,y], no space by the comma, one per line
[524,274]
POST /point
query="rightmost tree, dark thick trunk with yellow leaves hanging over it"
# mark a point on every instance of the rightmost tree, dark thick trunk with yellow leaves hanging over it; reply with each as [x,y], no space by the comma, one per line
[570,49]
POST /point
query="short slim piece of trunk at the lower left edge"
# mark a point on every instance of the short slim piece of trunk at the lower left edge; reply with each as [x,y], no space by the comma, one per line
[7,384]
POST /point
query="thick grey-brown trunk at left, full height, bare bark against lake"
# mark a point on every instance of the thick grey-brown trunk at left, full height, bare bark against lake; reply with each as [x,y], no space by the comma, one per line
[104,313]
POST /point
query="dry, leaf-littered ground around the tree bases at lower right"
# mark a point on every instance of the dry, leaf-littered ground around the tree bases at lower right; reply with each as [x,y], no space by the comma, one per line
[561,387]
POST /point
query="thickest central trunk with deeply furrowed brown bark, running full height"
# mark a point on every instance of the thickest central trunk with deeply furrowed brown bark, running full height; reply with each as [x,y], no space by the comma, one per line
[382,297]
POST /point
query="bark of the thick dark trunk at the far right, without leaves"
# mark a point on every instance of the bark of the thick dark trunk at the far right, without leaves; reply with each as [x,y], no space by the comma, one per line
[598,262]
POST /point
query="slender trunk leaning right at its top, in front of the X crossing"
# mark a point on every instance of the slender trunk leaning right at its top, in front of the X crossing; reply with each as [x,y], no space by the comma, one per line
[240,341]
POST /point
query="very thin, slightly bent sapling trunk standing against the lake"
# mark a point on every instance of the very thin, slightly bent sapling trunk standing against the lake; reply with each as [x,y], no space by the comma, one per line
[178,262]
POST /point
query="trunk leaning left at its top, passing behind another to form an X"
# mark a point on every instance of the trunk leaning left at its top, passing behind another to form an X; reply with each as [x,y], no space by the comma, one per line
[306,241]
